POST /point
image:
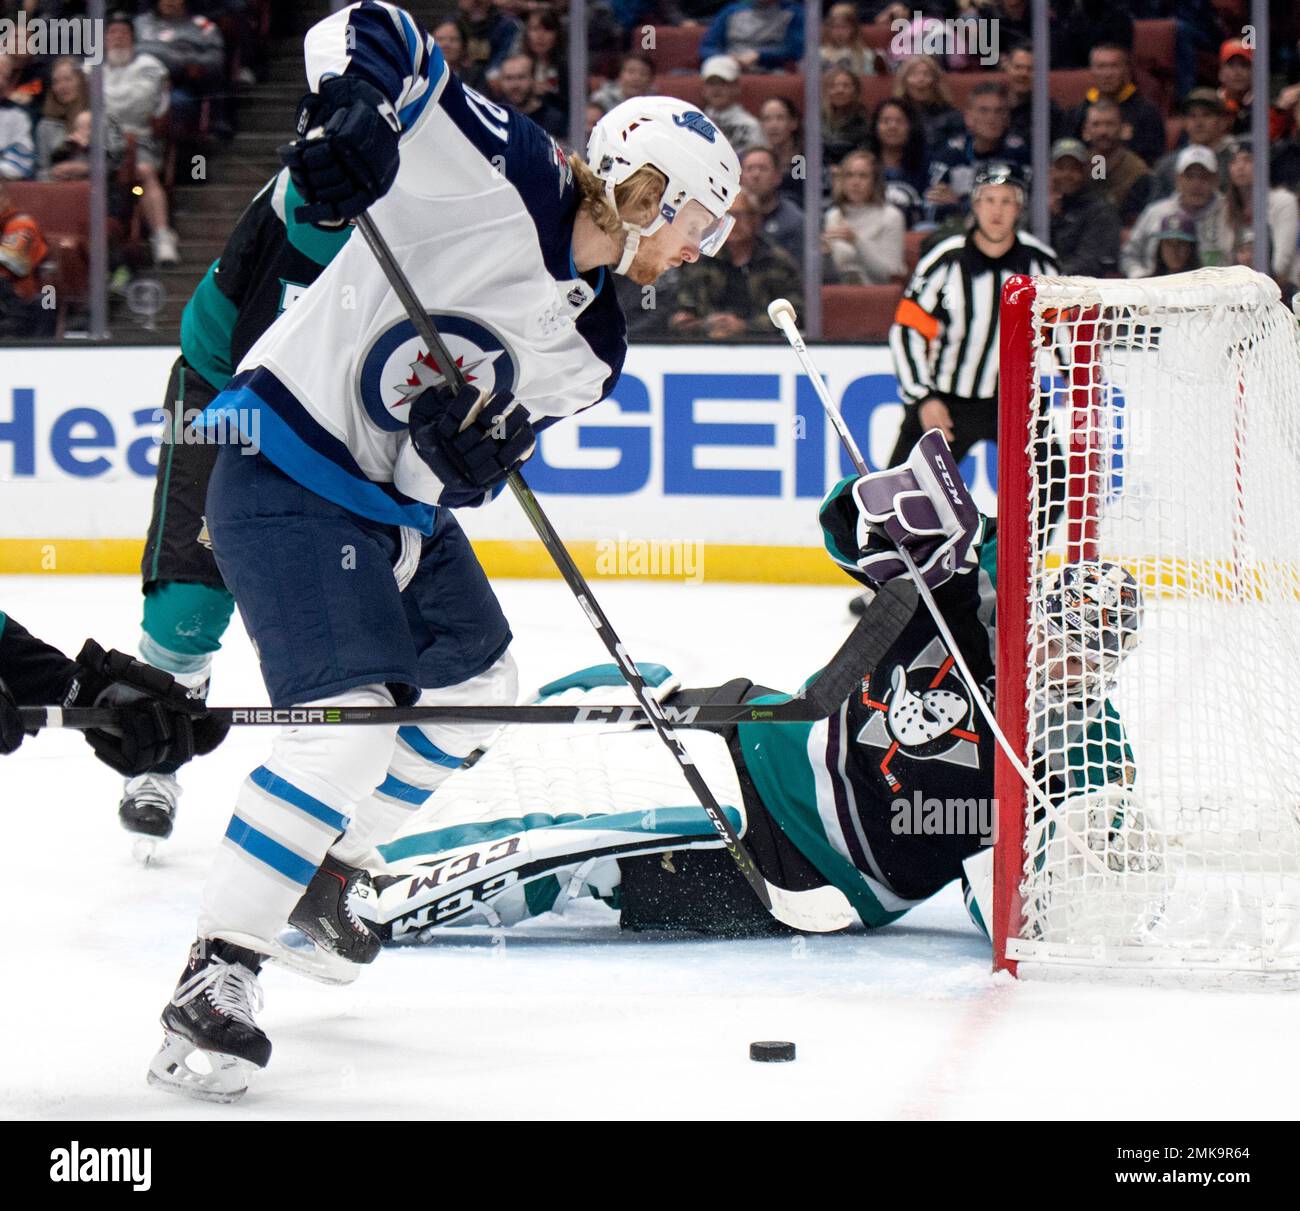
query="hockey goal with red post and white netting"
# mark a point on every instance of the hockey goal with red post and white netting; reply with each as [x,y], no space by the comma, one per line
[1169,845]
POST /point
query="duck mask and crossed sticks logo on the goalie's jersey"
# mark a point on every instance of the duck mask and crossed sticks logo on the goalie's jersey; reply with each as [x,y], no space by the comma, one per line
[926,714]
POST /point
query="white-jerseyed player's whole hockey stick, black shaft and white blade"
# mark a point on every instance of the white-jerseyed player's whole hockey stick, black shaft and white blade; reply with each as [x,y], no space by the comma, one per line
[820,911]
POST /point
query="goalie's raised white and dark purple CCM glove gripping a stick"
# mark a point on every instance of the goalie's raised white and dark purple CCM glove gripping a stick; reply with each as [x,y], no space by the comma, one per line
[922,507]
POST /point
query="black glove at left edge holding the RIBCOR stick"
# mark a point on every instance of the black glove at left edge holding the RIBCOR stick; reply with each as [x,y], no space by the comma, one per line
[161,727]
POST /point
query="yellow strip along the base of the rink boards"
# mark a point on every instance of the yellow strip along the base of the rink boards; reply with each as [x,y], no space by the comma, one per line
[718,563]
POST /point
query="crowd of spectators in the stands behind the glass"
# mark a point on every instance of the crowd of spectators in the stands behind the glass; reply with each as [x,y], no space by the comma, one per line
[1150,123]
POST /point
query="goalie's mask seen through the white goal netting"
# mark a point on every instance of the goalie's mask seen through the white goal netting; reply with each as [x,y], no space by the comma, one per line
[1085,627]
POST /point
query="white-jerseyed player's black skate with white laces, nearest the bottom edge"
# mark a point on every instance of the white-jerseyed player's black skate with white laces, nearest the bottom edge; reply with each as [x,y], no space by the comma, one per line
[210,1017]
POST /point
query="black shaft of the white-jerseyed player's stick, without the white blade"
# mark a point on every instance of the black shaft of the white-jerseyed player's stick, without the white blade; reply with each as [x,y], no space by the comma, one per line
[575,580]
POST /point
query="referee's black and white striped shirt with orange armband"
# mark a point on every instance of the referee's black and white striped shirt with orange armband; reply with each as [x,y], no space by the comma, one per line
[944,337]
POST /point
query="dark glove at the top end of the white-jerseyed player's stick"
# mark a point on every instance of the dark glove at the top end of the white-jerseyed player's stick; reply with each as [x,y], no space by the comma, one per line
[346,153]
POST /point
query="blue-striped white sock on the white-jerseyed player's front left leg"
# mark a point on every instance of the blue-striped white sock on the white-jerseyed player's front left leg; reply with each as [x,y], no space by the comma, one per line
[288,815]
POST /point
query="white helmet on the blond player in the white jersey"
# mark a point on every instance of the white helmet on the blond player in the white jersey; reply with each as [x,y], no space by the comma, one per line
[682,144]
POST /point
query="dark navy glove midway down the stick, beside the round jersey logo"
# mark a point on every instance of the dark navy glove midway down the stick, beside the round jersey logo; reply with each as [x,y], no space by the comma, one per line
[471,459]
